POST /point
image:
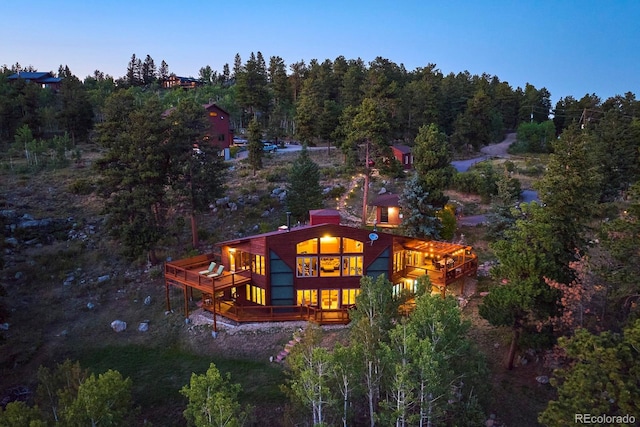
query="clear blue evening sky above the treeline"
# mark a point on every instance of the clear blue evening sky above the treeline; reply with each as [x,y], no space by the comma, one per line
[569,47]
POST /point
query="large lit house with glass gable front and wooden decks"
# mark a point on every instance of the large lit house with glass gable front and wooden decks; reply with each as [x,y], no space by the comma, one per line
[313,272]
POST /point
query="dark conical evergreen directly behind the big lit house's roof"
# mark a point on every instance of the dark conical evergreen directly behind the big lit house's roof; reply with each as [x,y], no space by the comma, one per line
[303,190]
